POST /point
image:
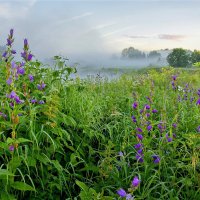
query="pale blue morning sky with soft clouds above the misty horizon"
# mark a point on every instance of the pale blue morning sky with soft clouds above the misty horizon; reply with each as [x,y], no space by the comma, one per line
[92,28]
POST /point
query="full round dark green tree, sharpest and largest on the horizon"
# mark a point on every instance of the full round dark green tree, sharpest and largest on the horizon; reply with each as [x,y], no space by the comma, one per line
[179,58]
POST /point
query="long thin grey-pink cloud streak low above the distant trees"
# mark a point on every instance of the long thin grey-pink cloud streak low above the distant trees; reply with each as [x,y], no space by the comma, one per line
[160,36]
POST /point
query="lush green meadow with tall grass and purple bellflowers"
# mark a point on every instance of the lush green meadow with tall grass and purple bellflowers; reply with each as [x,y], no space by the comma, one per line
[133,137]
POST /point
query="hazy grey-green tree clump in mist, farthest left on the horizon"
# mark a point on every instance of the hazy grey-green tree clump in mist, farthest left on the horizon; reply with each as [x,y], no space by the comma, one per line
[132,53]
